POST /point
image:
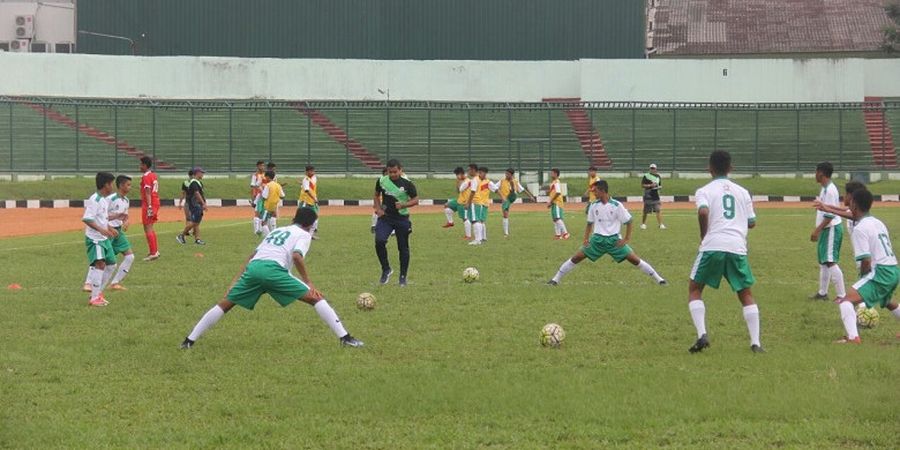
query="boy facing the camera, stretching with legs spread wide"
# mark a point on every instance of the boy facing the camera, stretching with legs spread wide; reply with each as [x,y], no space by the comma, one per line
[602,236]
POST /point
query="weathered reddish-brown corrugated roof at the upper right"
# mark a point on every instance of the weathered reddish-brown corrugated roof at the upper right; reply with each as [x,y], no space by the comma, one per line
[702,27]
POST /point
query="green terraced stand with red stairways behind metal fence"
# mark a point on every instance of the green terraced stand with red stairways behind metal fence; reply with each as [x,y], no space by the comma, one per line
[82,136]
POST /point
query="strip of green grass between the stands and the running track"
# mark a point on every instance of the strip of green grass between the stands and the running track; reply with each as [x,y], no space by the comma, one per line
[362,188]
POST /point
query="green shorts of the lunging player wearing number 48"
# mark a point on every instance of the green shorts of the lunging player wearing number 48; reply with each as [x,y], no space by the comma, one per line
[266,277]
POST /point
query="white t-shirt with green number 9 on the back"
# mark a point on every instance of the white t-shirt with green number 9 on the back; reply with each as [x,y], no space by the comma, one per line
[730,214]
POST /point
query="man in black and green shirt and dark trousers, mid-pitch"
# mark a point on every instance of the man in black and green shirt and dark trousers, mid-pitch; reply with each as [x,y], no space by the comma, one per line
[394,194]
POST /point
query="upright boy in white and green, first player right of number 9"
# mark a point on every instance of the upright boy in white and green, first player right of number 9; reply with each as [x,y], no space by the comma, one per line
[829,234]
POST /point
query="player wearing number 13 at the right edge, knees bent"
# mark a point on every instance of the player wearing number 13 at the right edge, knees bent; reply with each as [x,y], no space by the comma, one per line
[878,271]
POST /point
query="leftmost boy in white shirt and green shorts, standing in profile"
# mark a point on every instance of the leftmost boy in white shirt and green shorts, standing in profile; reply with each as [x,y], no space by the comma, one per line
[98,235]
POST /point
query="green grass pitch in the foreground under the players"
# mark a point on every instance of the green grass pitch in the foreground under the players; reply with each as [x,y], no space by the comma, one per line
[445,364]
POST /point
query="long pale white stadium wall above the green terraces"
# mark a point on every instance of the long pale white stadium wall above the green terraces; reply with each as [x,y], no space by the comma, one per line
[746,80]
